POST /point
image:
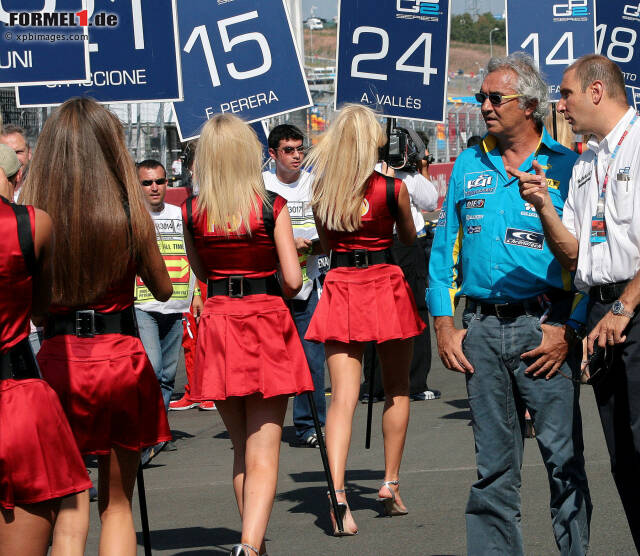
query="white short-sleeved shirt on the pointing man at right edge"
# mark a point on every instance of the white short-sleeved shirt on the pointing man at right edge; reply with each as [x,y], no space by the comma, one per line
[617,258]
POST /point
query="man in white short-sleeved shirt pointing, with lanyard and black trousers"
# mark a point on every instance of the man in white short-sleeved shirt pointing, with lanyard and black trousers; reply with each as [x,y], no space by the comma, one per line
[599,239]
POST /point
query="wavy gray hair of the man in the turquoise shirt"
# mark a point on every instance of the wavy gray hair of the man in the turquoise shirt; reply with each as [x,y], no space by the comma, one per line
[530,83]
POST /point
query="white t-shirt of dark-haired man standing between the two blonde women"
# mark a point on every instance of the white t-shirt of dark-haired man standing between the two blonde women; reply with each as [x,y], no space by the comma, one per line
[298,196]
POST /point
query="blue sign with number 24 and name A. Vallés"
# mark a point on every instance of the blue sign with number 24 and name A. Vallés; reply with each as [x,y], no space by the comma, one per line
[392,56]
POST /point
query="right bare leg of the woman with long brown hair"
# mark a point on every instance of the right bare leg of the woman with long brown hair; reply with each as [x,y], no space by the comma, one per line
[117,477]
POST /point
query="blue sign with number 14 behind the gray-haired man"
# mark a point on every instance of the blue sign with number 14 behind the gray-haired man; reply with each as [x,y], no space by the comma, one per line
[555,32]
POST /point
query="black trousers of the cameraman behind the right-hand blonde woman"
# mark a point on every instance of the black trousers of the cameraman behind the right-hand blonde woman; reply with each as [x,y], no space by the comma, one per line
[413,259]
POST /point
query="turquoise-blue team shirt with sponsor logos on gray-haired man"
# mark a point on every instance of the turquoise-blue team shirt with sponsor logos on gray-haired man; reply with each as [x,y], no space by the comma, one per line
[493,233]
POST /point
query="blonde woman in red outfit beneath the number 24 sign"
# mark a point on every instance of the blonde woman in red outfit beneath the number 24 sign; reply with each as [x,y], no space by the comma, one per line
[365,296]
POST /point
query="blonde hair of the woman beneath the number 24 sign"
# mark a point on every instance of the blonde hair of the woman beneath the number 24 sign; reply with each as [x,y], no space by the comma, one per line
[341,165]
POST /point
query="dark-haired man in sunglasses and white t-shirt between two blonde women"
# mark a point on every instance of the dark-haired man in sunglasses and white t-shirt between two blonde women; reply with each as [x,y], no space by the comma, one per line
[287,150]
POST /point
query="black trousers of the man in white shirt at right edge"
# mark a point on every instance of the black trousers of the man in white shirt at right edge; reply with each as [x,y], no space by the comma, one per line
[618,399]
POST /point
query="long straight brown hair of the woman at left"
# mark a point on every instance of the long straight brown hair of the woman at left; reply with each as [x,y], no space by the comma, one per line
[84,177]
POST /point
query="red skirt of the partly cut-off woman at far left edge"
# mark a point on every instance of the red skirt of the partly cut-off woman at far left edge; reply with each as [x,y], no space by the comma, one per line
[38,457]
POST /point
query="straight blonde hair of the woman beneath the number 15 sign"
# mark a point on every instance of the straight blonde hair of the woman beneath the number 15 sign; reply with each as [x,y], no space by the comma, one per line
[228,168]
